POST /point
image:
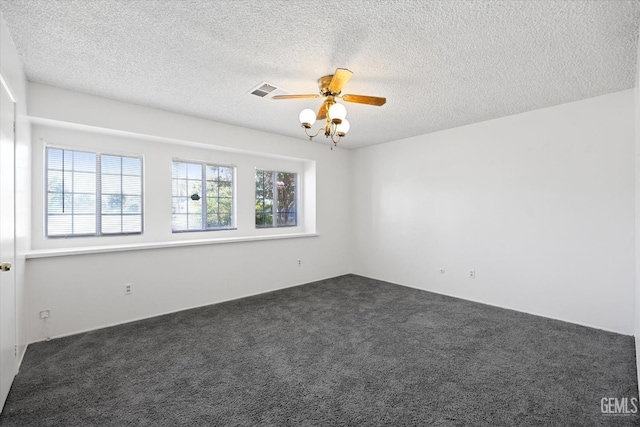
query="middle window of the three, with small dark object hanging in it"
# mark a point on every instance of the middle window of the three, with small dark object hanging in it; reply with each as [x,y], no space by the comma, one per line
[194,209]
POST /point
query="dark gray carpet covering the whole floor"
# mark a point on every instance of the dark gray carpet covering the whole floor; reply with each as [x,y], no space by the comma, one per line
[343,351]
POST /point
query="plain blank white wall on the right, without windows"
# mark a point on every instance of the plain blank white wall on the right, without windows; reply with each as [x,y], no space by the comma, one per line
[540,204]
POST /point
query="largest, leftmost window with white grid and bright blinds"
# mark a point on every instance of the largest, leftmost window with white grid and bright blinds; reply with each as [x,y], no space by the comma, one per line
[92,194]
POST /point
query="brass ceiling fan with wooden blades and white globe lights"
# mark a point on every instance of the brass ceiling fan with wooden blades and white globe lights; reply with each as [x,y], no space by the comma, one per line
[336,126]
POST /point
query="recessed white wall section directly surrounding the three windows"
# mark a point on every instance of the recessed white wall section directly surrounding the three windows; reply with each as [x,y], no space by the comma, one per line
[157,159]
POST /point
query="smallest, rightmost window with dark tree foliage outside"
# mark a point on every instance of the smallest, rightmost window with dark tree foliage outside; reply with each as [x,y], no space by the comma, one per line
[276,206]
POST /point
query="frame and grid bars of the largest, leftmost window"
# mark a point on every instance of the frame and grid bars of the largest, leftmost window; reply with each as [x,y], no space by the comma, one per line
[98,192]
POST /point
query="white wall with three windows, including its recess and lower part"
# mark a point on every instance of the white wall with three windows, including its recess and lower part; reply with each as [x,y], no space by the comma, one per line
[86,291]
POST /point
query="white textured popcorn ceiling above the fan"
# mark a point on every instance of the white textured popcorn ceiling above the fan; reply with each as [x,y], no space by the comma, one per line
[440,64]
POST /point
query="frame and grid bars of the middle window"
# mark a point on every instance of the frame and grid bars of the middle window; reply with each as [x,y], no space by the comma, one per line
[203,196]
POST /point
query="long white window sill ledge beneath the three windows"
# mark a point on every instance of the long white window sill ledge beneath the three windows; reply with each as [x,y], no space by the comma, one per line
[48,253]
